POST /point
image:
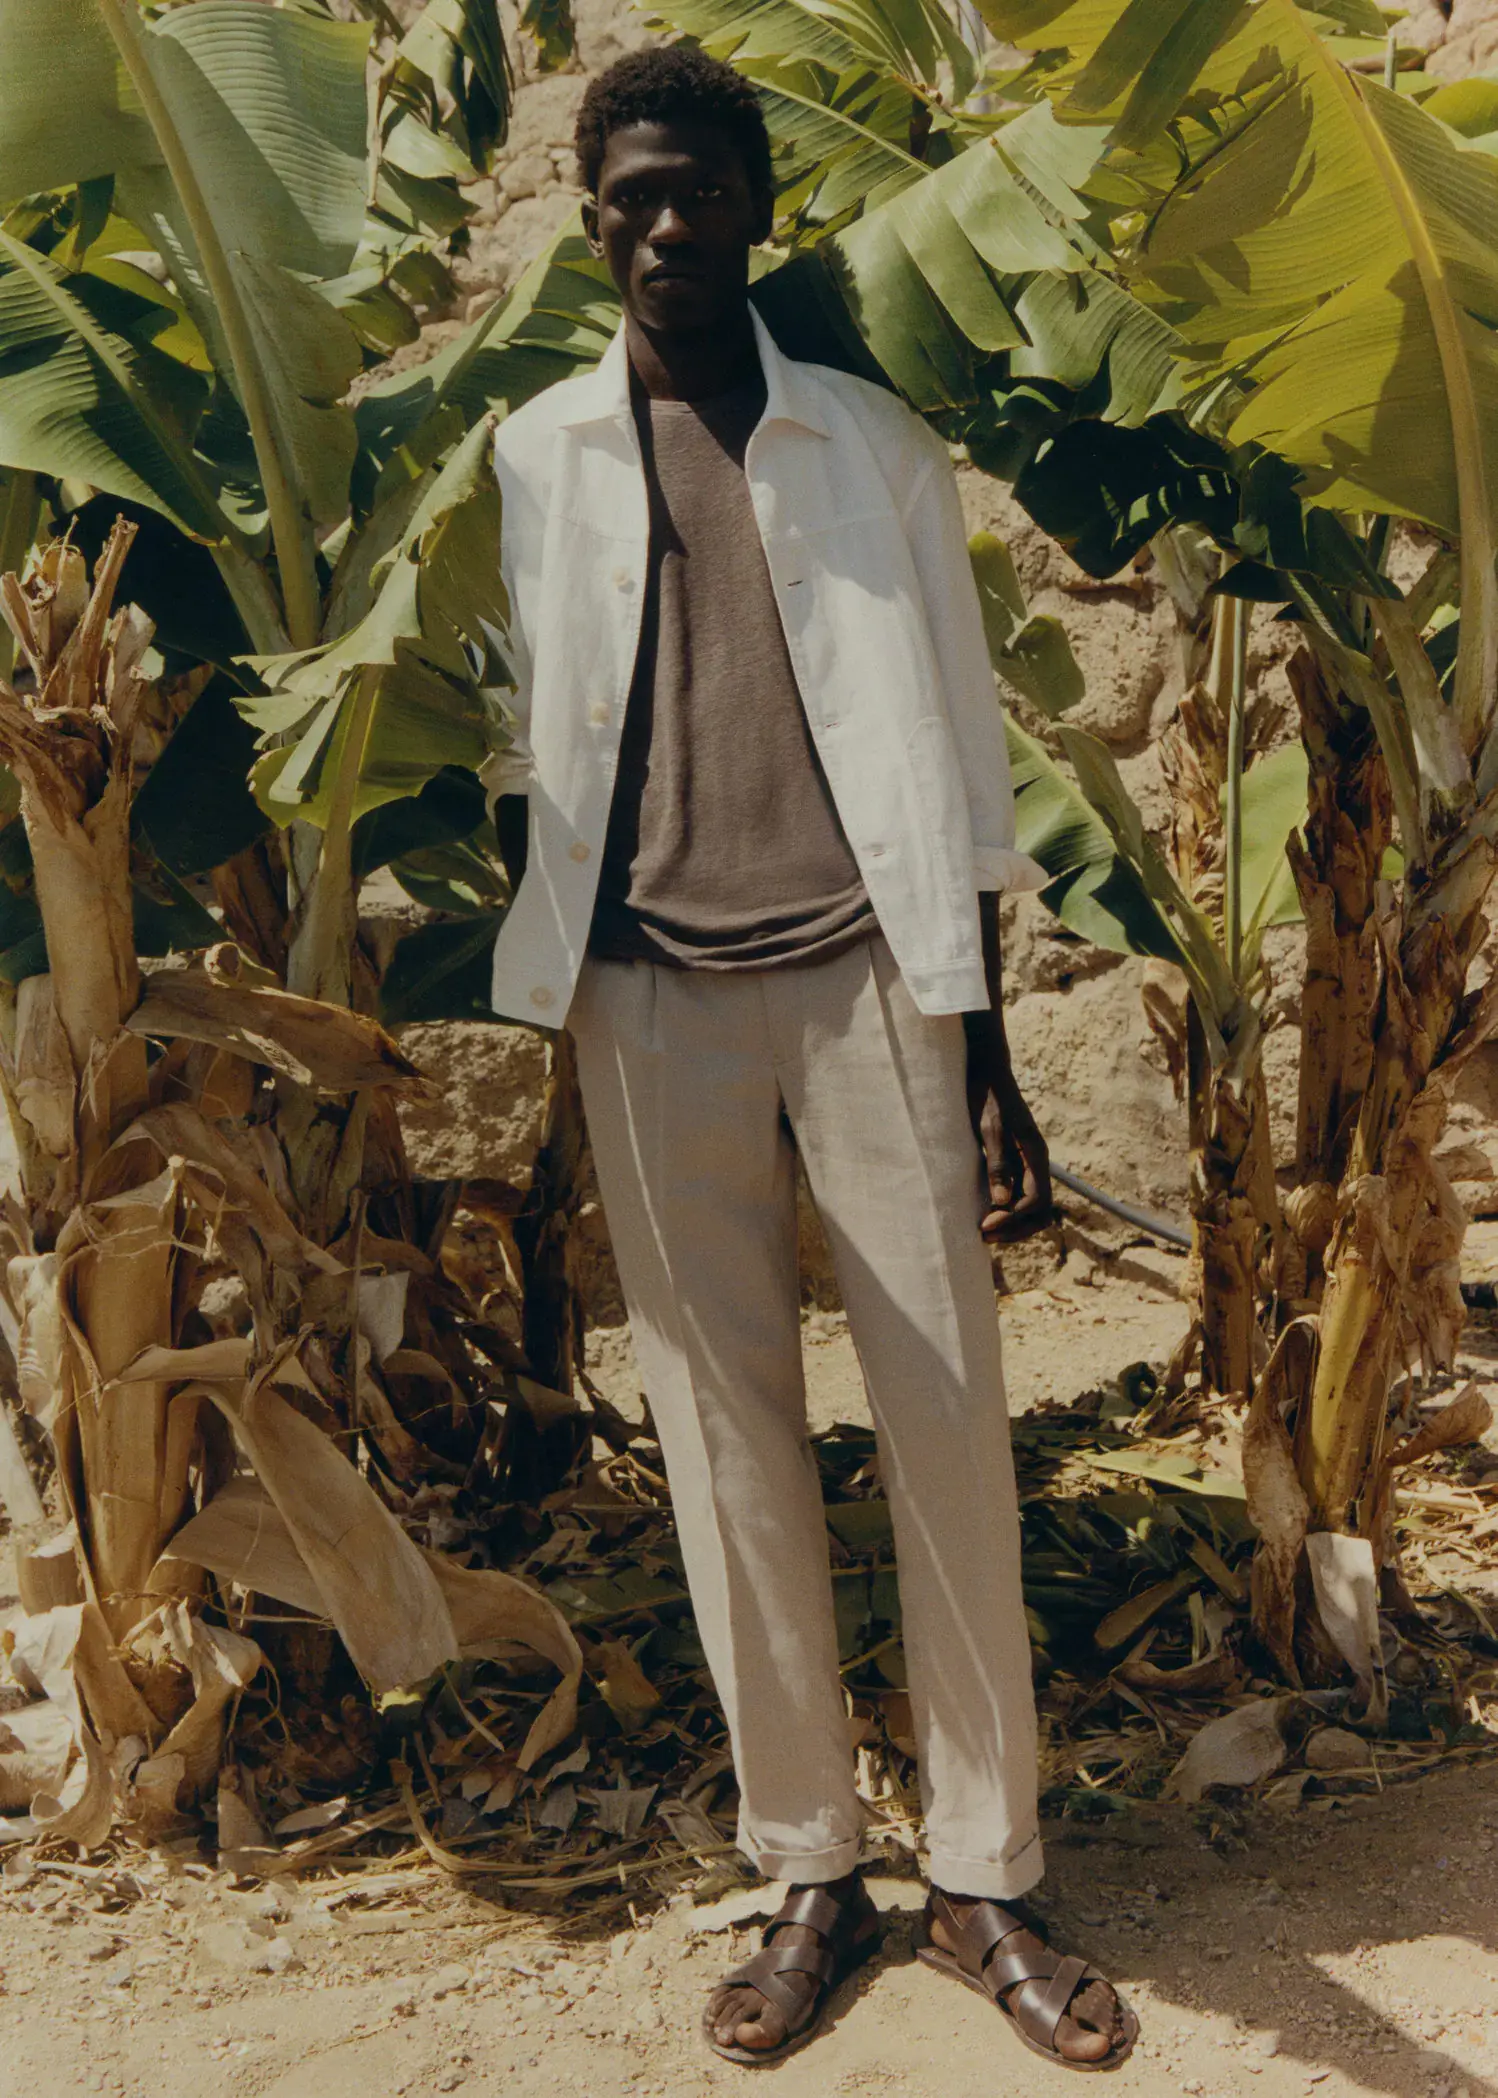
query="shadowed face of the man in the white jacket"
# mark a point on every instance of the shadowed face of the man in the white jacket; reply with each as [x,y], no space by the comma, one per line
[675,221]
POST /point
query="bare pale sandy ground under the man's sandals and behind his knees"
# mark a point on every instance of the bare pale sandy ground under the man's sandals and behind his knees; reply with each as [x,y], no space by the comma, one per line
[1346,1946]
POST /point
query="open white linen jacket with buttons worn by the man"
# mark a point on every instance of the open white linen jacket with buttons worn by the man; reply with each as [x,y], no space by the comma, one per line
[863,532]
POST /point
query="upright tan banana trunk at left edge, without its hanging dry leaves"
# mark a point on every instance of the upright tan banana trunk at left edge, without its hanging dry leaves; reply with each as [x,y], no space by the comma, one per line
[98,1266]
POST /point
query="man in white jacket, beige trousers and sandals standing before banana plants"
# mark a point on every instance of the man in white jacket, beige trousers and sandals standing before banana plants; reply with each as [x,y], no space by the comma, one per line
[769,817]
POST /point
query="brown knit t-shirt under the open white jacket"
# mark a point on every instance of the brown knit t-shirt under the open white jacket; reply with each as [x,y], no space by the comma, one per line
[725,849]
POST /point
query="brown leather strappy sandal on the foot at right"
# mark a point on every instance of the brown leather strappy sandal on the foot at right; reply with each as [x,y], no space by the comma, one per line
[1044,1982]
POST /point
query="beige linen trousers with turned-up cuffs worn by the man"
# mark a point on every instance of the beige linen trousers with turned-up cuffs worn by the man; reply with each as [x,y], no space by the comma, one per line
[689,1082]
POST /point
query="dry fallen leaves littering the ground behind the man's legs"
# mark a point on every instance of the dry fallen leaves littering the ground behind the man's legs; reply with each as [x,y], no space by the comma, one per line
[1136,1575]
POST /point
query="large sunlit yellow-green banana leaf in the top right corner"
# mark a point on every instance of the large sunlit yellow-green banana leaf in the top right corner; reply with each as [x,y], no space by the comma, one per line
[1369,362]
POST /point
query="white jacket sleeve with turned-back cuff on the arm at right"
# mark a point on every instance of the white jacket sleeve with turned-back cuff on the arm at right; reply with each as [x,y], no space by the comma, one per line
[939,544]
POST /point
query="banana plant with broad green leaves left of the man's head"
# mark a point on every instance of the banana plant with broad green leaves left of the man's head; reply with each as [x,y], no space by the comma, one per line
[240,219]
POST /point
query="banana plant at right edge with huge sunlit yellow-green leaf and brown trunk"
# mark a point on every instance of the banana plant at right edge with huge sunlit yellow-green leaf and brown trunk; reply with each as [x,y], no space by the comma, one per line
[1369,370]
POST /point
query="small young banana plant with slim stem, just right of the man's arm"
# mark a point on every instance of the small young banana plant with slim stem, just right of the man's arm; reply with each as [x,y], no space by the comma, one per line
[1203,907]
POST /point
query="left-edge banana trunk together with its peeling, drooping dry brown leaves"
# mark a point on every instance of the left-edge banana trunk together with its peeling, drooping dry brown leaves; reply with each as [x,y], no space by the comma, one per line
[142,1184]
